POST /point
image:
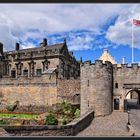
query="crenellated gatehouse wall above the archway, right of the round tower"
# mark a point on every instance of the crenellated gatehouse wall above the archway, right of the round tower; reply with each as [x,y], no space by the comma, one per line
[127,78]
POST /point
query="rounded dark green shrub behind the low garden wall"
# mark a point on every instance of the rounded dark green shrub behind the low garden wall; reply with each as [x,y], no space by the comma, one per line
[51,120]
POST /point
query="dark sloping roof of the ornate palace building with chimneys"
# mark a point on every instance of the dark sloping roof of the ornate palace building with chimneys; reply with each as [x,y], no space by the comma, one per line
[49,47]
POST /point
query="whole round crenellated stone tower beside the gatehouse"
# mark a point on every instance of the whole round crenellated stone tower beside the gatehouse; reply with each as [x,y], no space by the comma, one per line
[96,87]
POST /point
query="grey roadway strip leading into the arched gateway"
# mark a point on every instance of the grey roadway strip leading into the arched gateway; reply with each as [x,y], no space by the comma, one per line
[134,119]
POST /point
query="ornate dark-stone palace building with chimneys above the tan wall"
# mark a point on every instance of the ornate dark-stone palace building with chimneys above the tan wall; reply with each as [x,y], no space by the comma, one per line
[36,61]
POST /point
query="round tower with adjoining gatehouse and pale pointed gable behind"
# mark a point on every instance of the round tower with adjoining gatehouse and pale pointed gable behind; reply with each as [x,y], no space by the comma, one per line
[105,87]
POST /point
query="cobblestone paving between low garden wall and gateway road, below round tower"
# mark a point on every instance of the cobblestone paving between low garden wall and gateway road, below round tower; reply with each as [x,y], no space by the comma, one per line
[111,125]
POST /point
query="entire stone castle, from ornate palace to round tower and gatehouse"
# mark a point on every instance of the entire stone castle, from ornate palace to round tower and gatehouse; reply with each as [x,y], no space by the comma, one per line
[48,74]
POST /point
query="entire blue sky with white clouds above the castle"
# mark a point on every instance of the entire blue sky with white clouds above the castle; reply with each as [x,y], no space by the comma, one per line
[88,28]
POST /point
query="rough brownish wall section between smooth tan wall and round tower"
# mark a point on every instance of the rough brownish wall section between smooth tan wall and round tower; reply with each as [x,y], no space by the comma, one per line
[69,89]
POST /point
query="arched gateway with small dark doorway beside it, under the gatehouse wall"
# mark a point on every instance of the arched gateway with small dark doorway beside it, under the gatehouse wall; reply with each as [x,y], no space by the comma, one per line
[129,97]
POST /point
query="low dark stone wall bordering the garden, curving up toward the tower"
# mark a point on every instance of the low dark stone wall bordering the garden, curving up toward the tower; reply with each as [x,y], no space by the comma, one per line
[70,129]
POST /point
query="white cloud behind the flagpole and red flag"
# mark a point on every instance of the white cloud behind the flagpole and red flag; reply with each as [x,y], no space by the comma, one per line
[121,32]
